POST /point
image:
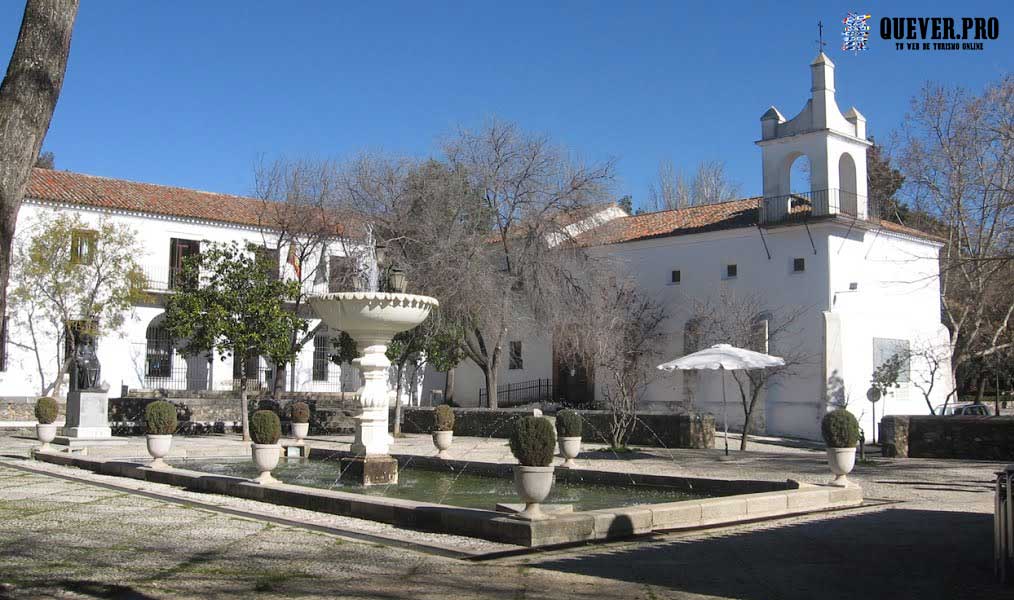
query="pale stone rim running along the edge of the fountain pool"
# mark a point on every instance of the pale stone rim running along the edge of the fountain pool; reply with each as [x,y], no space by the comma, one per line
[575,528]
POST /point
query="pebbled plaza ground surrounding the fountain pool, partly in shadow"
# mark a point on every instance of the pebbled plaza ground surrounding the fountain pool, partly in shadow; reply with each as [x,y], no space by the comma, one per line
[68,534]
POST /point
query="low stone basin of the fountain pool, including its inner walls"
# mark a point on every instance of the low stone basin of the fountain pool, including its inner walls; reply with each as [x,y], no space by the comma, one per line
[732,502]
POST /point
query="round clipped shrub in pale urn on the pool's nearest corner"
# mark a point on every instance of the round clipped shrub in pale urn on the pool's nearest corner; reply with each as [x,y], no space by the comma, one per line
[533,442]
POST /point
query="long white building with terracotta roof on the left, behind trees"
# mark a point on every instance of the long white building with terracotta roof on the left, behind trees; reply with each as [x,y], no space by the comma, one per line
[172,223]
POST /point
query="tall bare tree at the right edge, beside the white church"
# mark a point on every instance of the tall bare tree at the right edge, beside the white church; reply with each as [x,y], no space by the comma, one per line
[959,169]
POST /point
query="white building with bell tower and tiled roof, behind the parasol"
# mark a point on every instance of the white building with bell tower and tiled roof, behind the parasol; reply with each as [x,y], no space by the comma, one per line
[870,288]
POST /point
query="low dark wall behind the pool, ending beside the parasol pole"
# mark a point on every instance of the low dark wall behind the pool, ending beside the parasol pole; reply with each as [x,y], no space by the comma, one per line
[669,431]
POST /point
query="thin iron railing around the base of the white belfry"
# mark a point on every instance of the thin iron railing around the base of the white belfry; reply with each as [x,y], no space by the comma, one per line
[818,204]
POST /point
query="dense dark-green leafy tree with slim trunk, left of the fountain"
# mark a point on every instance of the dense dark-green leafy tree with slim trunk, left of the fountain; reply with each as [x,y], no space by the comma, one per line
[237,309]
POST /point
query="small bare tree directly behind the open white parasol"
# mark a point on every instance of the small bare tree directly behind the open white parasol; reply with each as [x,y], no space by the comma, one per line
[746,322]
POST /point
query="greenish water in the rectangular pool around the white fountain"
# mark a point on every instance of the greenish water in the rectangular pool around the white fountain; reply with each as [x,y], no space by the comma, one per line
[456,489]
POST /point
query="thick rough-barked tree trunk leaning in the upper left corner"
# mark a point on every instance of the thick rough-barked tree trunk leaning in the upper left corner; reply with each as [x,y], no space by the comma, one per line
[28,97]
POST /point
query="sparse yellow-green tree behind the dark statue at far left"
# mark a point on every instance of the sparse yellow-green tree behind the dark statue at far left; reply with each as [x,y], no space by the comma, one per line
[70,275]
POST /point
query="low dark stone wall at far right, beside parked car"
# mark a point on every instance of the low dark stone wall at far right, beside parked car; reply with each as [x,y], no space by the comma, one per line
[979,438]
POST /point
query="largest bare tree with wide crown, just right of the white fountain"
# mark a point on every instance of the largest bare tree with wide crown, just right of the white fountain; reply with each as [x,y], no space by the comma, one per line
[481,231]
